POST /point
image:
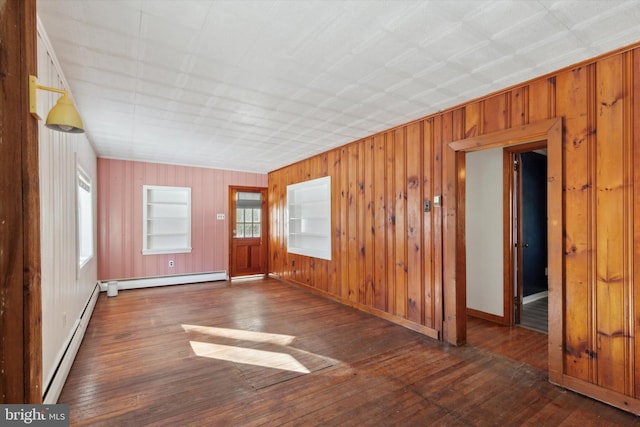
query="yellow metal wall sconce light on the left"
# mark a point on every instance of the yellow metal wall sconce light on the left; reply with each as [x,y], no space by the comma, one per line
[63,117]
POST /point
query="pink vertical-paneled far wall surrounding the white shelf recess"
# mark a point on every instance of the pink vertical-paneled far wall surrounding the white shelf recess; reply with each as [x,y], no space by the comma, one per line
[120,218]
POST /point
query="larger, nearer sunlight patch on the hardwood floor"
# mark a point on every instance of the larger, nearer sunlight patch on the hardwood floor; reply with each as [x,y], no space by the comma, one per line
[268,359]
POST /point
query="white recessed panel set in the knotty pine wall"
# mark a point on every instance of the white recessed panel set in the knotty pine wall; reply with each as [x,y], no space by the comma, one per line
[309,218]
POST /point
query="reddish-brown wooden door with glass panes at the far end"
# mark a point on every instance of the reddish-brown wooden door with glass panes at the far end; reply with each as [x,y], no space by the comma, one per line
[248,231]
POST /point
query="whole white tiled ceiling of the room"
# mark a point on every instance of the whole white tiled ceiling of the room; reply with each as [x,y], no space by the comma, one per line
[258,84]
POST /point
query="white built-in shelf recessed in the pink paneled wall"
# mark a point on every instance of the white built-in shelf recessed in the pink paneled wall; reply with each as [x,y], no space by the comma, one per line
[167,220]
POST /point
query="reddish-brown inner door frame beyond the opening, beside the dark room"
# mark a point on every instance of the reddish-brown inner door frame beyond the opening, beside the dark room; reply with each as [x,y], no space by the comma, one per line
[512,231]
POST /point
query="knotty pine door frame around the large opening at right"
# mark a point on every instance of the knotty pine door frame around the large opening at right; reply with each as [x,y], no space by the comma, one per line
[454,274]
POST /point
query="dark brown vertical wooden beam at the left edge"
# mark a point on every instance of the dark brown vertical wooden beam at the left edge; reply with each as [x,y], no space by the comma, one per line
[21,311]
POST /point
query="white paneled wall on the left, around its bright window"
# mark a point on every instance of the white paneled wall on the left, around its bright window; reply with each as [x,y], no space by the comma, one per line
[66,289]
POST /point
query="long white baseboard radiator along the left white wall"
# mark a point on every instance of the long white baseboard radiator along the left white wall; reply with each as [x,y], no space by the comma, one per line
[53,389]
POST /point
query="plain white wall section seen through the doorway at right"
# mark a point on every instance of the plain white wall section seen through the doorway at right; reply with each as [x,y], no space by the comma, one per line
[485,264]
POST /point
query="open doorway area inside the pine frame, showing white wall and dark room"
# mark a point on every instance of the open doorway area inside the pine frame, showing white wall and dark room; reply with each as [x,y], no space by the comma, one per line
[506,235]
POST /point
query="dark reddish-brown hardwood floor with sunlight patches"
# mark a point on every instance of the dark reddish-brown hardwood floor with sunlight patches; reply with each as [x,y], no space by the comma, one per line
[261,352]
